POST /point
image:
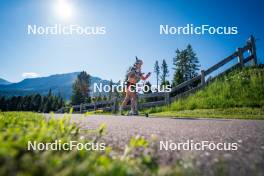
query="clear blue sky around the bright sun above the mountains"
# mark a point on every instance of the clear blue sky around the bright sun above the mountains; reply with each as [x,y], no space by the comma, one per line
[132,29]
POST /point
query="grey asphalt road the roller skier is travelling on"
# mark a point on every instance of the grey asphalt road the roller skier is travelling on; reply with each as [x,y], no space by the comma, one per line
[248,159]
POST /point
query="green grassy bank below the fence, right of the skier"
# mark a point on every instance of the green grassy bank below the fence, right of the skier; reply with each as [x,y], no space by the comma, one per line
[238,94]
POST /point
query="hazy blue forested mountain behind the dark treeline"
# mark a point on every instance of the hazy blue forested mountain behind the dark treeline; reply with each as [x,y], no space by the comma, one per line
[60,84]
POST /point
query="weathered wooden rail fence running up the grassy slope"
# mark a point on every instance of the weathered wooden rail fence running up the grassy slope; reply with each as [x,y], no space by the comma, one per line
[181,90]
